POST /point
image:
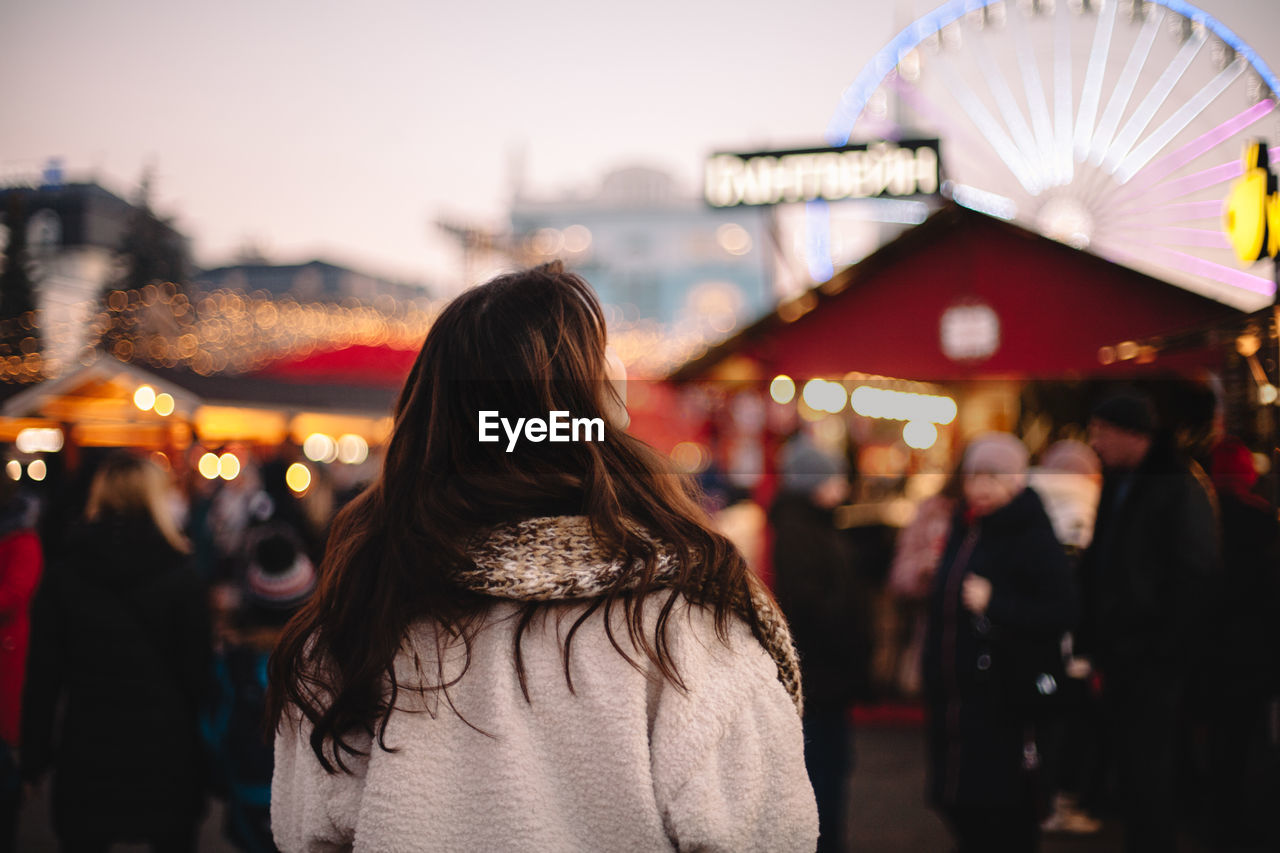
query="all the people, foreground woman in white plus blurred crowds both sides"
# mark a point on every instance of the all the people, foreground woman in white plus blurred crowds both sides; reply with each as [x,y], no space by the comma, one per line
[560,650]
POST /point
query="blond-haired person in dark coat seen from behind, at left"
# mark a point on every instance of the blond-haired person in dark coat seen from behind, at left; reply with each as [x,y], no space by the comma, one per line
[121,635]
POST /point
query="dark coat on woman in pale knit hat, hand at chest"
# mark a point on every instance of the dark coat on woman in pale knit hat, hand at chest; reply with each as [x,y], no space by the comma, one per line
[972,665]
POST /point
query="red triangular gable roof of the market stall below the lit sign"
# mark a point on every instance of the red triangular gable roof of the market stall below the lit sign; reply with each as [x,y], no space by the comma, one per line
[1052,308]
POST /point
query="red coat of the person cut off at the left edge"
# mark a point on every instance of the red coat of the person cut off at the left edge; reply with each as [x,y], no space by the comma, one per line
[20,572]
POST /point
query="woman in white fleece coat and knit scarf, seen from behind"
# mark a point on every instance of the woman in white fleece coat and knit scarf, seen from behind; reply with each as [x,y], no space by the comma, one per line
[533,645]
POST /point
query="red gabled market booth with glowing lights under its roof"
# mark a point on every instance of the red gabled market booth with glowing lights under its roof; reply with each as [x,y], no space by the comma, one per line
[948,331]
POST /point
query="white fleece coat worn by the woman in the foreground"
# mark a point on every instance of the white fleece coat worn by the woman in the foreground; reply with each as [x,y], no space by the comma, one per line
[627,763]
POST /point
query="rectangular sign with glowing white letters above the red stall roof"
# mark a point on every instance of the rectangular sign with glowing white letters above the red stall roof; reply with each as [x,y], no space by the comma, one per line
[906,168]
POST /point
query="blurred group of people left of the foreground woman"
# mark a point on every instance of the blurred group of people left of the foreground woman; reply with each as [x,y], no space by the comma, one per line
[135,651]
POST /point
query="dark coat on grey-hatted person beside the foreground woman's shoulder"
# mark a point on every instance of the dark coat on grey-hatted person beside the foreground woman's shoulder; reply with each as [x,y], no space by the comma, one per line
[819,591]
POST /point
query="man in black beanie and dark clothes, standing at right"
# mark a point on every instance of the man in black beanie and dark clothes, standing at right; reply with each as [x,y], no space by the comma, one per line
[1149,591]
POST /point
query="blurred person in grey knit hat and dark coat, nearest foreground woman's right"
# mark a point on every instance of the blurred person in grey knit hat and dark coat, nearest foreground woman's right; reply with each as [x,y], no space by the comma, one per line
[816,587]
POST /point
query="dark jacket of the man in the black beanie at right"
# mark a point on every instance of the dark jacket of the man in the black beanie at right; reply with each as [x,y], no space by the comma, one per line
[1149,577]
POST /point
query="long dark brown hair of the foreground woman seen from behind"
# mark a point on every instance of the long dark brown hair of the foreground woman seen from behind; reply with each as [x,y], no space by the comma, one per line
[525,344]
